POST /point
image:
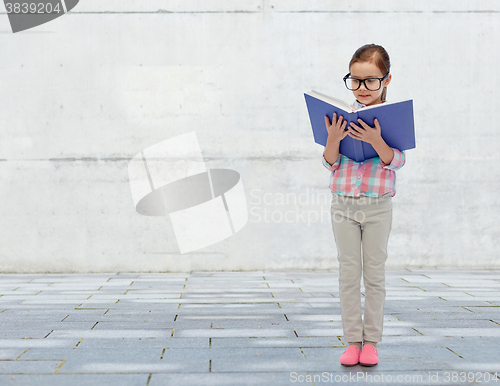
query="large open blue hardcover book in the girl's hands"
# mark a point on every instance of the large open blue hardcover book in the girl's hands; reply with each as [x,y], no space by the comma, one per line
[395,118]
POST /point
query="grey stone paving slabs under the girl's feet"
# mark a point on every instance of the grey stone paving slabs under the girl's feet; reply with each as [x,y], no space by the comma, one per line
[442,327]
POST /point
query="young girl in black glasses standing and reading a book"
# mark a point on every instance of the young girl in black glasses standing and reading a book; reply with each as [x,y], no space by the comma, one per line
[362,207]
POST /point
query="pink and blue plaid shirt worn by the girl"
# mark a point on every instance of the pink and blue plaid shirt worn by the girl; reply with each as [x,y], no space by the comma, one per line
[371,178]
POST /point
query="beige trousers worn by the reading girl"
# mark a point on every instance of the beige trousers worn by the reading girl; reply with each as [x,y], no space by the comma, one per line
[361,227]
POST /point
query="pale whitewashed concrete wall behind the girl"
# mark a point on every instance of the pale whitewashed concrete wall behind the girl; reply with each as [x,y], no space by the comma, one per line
[83,94]
